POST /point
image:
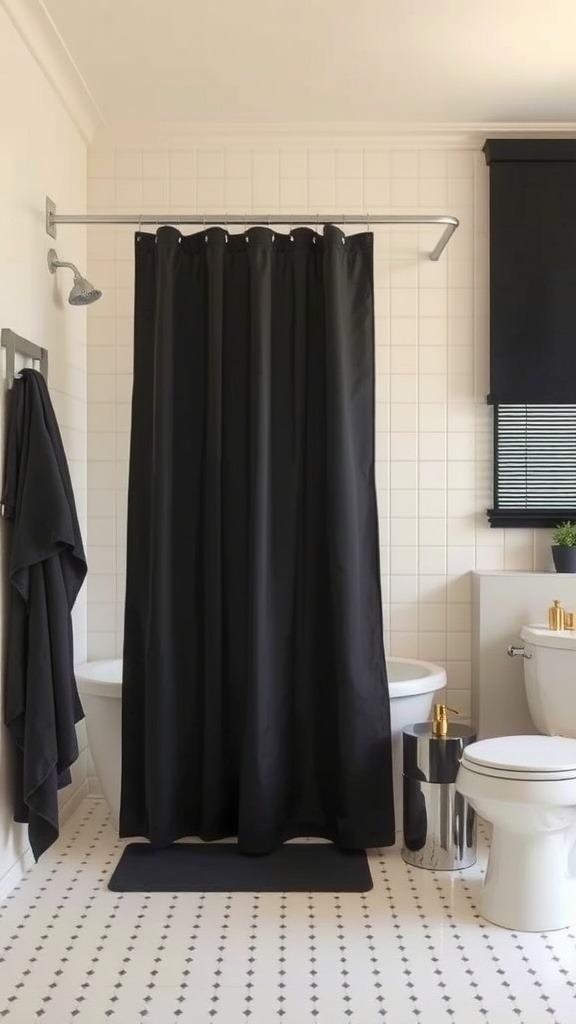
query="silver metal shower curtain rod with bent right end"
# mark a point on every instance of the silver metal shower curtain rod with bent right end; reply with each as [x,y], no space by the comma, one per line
[54,219]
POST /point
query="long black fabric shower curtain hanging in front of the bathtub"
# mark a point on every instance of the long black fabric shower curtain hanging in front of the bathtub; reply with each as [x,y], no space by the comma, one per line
[256,695]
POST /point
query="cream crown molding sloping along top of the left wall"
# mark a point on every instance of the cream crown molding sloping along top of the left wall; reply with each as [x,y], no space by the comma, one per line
[34,25]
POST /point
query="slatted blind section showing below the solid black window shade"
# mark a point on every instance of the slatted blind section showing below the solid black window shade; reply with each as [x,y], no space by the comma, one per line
[536,457]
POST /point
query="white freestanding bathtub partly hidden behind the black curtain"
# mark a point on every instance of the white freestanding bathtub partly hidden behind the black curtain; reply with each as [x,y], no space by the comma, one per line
[413,686]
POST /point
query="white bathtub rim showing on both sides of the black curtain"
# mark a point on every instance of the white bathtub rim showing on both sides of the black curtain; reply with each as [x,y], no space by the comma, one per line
[433,677]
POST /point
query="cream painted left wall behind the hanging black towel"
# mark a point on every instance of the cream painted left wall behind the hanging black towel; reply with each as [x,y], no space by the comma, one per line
[42,153]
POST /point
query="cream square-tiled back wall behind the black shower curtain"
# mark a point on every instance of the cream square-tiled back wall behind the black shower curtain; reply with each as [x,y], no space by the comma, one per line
[434,441]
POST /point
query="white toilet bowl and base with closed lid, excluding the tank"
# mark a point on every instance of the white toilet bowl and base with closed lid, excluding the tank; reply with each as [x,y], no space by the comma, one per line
[526,788]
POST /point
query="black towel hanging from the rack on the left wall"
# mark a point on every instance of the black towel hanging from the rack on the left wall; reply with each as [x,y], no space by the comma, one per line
[48,568]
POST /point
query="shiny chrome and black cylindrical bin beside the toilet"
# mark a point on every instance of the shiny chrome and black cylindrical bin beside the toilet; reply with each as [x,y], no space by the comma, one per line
[439,824]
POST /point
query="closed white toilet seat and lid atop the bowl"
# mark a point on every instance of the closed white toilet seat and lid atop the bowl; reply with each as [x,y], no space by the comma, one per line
[530,759]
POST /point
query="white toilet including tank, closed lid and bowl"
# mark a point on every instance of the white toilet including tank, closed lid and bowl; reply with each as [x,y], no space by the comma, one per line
[526,788]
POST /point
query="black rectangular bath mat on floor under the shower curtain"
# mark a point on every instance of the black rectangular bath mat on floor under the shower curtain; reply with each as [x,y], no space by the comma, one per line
[220,868]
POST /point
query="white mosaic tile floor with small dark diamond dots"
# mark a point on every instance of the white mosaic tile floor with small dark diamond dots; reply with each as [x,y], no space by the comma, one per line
[412,951]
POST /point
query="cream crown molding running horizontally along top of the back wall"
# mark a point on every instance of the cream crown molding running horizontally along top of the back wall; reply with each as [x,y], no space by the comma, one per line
[409,136]
